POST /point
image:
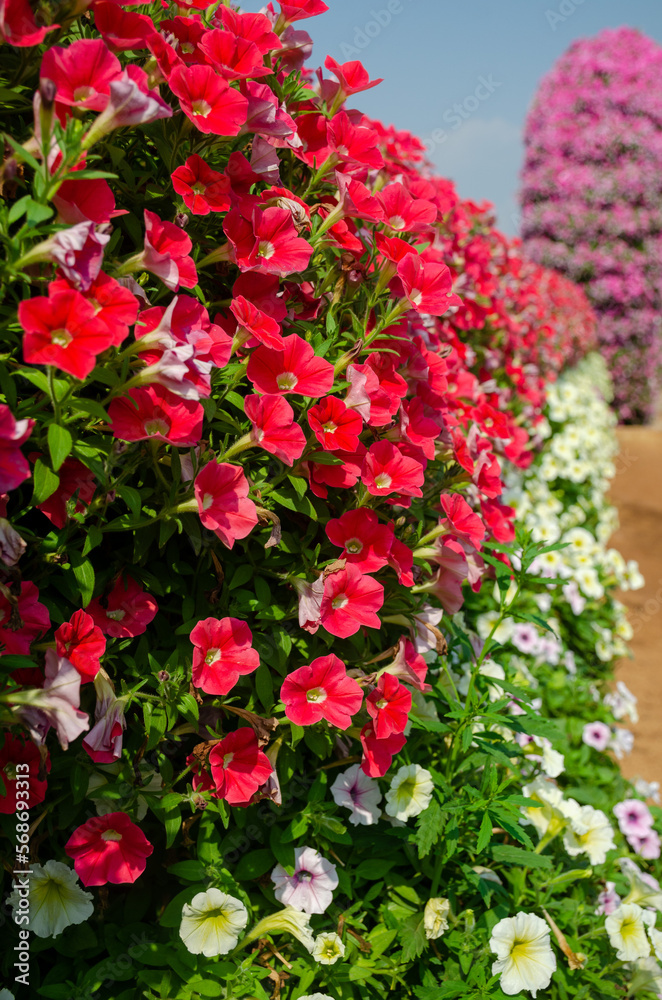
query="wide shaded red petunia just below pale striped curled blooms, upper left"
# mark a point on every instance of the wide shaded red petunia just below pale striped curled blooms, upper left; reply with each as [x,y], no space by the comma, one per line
[155,412]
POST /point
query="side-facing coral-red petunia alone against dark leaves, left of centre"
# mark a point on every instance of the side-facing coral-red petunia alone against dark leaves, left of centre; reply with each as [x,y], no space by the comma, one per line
[221,491]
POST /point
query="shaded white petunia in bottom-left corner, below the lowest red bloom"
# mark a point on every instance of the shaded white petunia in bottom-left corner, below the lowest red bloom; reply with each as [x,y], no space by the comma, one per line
[56,899]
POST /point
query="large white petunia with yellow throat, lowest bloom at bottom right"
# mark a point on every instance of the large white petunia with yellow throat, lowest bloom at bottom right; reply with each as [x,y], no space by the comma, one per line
[525,960]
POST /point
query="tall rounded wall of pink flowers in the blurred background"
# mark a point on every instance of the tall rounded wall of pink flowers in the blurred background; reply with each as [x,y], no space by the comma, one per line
[591,197]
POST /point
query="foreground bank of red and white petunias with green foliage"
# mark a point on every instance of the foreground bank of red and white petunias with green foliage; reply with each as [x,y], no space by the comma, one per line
[284,676]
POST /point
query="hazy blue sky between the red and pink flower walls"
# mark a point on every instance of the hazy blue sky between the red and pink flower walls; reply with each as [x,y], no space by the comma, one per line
[432,55]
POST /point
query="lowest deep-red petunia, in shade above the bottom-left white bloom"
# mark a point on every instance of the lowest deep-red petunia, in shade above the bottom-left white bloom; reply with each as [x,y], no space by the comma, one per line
[109,848]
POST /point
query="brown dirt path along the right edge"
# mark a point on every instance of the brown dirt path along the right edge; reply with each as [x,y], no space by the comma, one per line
[637,492]
